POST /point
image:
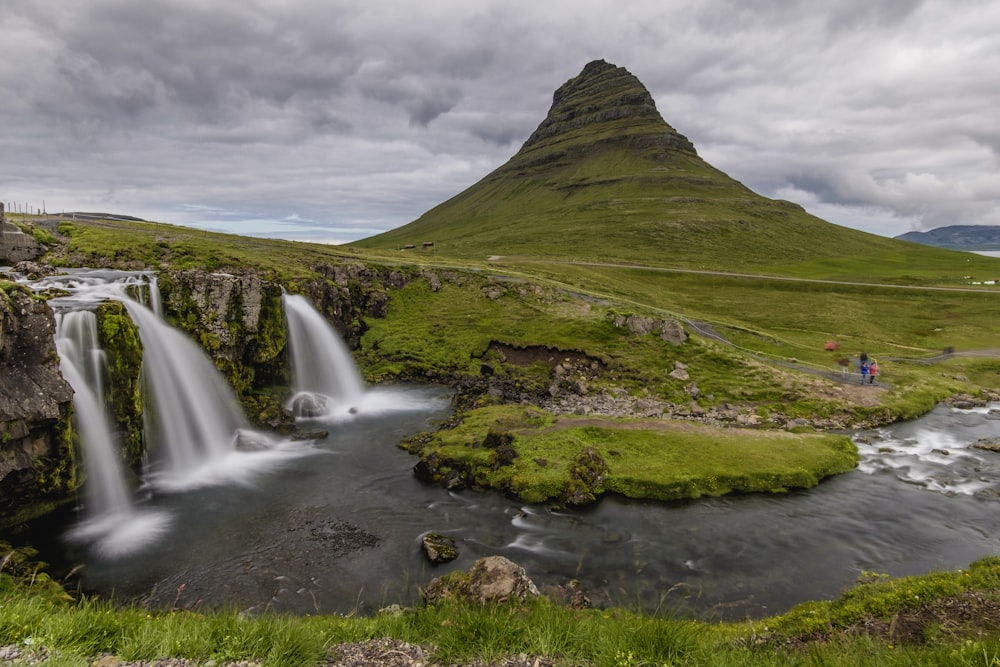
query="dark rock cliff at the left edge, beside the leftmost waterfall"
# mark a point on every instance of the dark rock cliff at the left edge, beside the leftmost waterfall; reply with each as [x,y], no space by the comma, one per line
[37,459]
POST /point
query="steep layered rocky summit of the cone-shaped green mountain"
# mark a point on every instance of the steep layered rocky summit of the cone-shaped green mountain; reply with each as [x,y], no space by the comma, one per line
[605,103]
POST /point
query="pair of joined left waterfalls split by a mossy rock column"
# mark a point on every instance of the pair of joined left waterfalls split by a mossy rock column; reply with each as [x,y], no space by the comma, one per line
[195,432]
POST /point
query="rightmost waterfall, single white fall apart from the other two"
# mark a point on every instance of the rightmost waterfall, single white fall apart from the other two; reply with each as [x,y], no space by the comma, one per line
[325,379]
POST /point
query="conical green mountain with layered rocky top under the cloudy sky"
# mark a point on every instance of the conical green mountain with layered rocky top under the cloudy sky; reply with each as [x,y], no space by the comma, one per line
[605,178]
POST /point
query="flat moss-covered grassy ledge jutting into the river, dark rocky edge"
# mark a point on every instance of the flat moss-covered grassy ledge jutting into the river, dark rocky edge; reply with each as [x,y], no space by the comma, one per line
[536,457]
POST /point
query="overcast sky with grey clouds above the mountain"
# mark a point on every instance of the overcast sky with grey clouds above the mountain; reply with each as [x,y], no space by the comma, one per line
[331,121]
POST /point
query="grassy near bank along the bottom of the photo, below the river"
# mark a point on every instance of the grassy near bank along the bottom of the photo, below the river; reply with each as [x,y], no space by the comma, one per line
[942,618]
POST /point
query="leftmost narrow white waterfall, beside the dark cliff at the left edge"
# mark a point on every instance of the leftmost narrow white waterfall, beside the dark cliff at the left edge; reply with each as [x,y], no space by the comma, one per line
[112,525]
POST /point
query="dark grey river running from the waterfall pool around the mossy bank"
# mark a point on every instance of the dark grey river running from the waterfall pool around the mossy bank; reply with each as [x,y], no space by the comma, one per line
[335,525]
